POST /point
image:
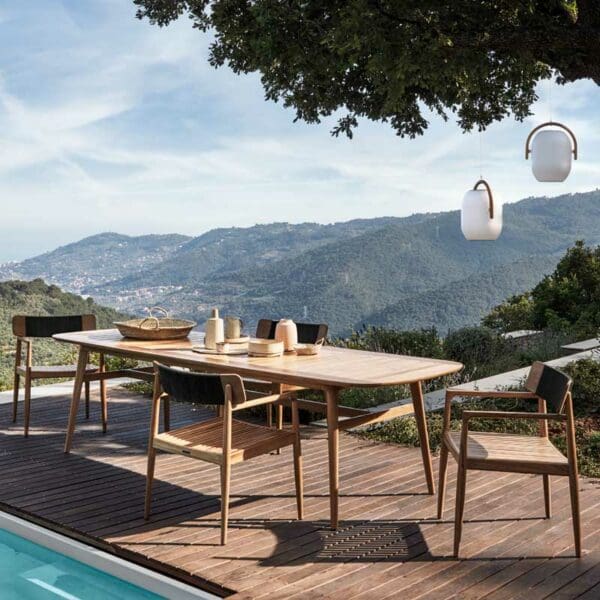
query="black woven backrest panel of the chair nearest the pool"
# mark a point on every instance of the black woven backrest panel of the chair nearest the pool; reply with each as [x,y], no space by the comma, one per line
[186,386]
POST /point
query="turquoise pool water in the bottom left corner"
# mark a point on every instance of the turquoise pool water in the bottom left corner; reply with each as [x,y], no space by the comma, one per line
[31,572]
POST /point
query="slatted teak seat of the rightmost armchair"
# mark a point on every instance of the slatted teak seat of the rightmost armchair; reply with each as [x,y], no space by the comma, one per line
[525,453]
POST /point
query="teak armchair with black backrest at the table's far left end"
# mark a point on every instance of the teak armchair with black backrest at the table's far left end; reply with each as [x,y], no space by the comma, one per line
[25,329]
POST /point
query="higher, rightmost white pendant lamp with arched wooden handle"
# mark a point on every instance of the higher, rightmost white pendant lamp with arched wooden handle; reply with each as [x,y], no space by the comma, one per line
[551,151]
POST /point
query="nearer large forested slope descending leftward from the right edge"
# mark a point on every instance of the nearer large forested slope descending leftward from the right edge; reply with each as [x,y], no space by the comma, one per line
[346,281]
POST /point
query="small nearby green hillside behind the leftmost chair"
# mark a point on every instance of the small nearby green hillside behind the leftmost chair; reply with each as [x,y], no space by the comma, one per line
[37,298]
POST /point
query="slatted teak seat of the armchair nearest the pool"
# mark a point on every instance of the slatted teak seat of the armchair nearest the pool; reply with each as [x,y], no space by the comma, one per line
[204,441]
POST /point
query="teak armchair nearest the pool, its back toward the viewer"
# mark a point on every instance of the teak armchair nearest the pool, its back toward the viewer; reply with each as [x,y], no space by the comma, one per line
[223,440]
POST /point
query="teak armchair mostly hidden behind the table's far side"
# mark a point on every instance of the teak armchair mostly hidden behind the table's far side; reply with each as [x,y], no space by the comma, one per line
[308,333]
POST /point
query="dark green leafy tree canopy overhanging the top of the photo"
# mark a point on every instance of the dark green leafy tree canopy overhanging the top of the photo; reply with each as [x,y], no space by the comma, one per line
[386,60]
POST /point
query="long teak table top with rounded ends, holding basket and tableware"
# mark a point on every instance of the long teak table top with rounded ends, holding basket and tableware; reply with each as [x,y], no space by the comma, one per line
[332,367]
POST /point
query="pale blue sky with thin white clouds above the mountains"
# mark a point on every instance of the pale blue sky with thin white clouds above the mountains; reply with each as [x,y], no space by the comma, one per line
[110,124]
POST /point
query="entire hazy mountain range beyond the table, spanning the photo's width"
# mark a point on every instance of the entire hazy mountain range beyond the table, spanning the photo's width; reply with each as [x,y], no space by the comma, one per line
[399,272]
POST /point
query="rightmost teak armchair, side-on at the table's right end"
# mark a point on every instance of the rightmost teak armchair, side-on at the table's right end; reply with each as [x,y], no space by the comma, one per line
[551,389]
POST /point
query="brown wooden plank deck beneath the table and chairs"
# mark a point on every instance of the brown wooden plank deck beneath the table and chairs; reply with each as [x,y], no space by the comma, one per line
[387,545]
